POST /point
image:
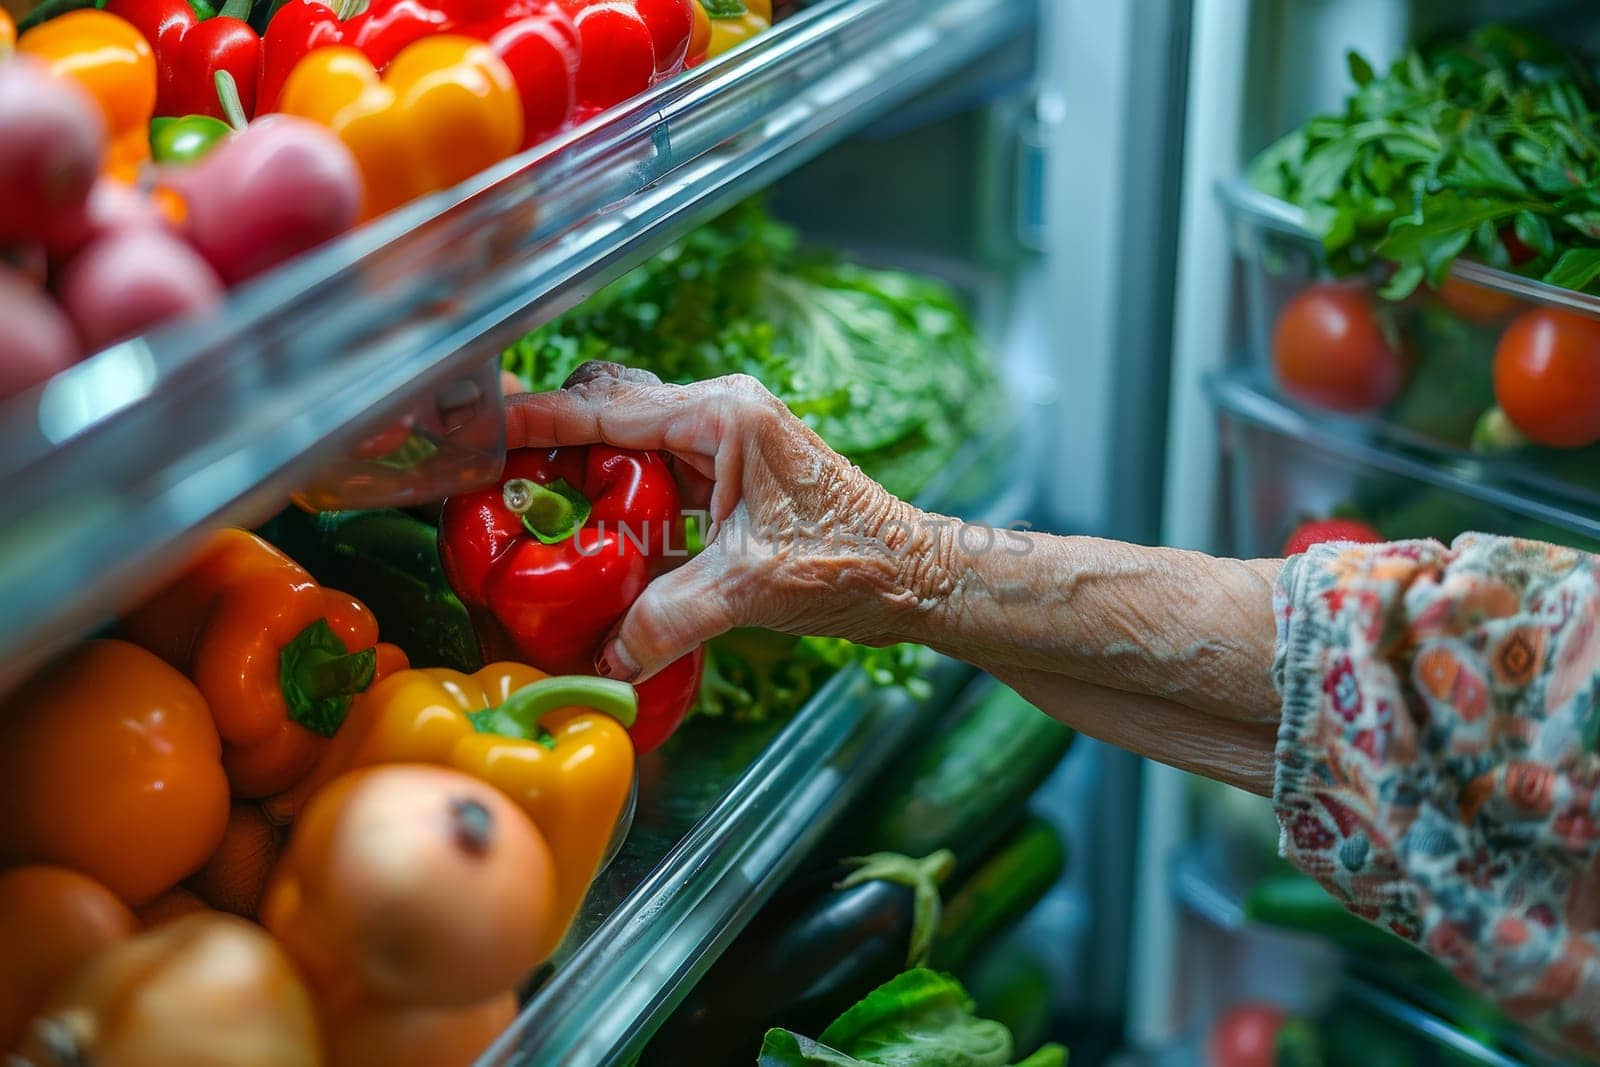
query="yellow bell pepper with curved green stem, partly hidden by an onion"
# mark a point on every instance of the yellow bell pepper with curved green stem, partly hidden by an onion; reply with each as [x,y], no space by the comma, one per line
[559,748]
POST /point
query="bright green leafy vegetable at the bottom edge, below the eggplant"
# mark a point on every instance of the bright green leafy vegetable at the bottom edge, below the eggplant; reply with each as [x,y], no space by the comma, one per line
[918,1020]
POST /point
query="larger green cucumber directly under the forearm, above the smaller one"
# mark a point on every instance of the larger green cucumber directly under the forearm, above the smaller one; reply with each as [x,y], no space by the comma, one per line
[967,786]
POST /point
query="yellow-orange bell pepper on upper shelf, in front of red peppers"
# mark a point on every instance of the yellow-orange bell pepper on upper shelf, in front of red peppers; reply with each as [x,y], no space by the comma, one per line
[442,111]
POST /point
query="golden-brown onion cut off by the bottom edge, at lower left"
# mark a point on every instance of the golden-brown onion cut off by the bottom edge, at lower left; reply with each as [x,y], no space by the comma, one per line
[206,989]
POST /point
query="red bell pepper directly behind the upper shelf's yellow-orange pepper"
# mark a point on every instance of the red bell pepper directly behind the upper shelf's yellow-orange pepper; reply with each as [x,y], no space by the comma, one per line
[302,26]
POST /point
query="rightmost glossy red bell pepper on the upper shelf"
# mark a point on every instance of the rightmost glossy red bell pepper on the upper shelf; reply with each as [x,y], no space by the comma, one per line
[626,46]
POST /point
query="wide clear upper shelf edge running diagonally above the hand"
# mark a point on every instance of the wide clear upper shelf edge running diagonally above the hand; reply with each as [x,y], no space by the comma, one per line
[108,471]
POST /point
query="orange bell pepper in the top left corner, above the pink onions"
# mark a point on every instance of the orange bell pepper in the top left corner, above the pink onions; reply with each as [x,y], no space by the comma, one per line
[116,65]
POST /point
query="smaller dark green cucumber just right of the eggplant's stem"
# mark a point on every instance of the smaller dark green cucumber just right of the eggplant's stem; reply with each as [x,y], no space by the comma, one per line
[999,893]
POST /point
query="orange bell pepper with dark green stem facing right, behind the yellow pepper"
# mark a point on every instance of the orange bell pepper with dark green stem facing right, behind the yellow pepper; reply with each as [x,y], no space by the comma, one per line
[276,655]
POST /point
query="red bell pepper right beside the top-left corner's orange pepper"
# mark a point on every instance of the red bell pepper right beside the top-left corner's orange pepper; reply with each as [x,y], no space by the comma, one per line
[190,54]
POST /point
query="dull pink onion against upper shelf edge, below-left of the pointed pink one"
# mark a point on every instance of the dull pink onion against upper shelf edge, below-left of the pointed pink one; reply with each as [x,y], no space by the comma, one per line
[127,282]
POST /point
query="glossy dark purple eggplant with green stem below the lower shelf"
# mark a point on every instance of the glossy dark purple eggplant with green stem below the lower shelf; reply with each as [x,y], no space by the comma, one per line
[810,954]
